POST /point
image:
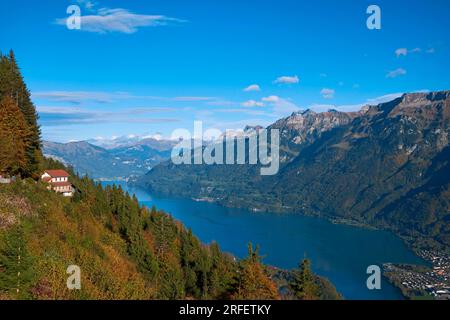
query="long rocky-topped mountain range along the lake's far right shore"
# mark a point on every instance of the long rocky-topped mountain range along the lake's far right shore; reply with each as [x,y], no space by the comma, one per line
[387,165]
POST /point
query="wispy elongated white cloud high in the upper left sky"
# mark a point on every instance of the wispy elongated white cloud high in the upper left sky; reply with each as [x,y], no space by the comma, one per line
[120,20]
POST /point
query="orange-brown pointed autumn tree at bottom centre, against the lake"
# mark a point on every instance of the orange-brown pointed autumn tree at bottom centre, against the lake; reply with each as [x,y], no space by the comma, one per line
[253,282]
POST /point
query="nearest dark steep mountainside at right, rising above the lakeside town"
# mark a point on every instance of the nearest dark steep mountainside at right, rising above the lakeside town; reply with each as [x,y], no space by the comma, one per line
[378,167]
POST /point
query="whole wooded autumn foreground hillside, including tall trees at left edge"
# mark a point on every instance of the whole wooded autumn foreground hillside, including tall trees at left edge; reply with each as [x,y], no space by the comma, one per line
[124,251]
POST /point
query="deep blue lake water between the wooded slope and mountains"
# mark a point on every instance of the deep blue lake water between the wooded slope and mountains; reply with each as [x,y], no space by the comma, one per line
[341,253]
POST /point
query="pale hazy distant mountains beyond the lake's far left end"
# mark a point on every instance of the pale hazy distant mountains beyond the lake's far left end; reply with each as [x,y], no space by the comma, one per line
[124,161]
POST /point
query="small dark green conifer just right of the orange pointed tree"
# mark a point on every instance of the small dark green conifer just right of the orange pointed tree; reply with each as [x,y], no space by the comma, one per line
[304,283]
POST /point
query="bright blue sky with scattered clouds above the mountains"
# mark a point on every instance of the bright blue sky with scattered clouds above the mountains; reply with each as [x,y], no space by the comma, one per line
[149,67]
